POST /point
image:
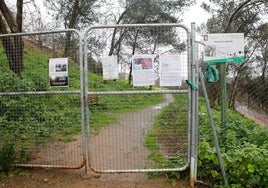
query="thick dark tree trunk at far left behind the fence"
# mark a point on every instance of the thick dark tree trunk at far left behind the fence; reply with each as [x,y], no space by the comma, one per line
[13,45]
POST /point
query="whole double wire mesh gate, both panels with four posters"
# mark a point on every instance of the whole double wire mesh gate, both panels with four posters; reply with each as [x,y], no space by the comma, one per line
[97,118]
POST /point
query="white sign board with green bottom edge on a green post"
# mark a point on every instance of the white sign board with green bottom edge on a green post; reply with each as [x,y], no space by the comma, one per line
[224,48]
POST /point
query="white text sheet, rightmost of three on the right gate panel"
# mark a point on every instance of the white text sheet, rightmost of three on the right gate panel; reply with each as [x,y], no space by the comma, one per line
[170,70]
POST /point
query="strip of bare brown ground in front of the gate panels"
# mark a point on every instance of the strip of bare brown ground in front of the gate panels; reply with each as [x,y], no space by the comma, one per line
[43,178]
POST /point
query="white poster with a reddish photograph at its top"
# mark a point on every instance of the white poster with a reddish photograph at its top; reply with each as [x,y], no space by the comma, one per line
[143,70]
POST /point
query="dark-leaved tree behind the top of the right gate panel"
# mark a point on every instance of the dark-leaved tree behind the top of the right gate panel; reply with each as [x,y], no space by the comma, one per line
[146,11]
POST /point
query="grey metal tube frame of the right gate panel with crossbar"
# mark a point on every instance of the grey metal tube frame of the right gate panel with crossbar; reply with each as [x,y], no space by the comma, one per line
[86,83]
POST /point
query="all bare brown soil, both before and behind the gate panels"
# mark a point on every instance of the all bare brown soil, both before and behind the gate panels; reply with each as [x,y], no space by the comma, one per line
[109,152]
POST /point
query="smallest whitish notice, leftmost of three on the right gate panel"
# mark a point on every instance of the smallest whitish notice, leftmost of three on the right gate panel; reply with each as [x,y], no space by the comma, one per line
[109,68]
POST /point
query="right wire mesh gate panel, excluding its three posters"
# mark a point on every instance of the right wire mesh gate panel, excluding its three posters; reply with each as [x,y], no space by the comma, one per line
[136,129]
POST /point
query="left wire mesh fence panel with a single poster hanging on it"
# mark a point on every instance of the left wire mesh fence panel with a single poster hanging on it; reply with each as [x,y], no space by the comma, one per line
[43,122]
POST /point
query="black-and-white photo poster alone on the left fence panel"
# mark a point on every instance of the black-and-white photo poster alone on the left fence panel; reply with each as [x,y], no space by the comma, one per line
[58,72]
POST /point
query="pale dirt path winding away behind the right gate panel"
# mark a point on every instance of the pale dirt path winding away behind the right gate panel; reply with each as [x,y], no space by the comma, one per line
[121,146]
